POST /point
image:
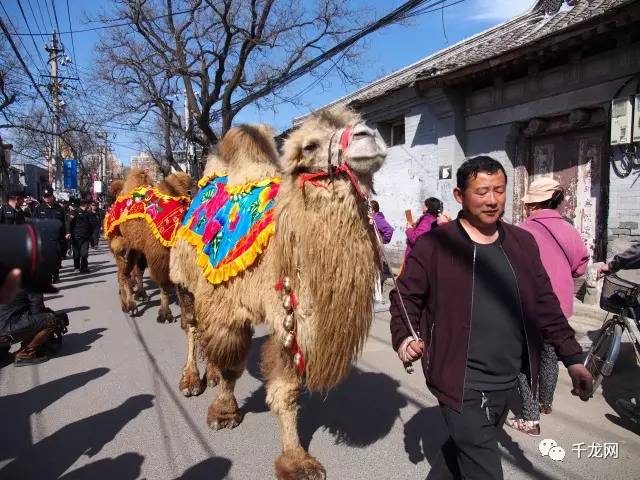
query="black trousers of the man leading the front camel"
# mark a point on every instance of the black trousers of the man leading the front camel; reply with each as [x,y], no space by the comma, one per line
[472,451]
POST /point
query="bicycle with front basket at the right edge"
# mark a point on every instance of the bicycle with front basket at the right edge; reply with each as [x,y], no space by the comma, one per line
[620,298]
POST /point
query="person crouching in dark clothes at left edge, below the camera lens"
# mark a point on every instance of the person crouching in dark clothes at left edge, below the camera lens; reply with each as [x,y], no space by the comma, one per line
[26,319]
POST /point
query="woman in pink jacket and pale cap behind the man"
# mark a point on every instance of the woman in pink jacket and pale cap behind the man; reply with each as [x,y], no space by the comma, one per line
[564,257]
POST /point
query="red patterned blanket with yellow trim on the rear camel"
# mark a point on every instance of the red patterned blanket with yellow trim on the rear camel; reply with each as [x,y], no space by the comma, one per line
[162,212]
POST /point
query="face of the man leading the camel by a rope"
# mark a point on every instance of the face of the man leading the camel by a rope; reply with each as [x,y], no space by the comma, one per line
[484,198]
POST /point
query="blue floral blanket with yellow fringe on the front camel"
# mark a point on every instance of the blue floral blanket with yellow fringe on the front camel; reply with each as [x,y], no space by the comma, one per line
[230,225]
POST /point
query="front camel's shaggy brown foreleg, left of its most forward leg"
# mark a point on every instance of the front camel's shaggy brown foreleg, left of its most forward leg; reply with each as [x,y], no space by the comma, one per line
[229,352]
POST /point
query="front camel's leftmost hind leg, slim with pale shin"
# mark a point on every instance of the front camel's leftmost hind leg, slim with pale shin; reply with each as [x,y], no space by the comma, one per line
[190,383]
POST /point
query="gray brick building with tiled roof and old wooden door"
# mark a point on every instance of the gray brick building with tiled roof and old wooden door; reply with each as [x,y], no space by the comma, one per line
[534,93]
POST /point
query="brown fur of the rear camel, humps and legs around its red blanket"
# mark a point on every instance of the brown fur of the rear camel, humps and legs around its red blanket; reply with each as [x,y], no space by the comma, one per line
[139,243]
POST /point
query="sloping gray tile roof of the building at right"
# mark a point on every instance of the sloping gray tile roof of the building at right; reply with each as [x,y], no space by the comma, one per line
[523,30]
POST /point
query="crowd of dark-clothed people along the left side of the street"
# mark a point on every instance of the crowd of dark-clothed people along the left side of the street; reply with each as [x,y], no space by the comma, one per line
[24,318]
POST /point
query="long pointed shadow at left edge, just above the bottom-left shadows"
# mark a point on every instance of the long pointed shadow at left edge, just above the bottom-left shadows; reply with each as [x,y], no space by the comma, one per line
[19,407]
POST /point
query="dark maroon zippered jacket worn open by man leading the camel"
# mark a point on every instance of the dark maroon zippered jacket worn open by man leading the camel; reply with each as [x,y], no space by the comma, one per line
[436,287]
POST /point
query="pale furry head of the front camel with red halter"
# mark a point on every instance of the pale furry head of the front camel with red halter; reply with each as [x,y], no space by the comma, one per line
[335,137]
